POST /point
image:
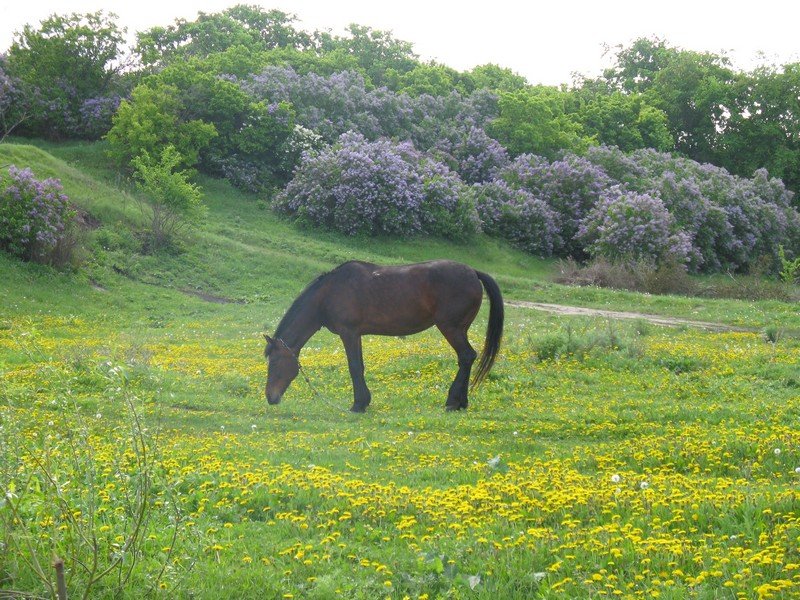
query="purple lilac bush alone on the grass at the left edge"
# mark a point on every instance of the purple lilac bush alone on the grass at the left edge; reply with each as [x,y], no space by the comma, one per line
[34,215]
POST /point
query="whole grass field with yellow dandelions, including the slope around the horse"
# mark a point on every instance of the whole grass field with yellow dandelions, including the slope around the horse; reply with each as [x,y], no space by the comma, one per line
[600,458]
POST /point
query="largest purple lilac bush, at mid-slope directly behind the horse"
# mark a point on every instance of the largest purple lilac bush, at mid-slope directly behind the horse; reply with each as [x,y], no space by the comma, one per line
[381,187]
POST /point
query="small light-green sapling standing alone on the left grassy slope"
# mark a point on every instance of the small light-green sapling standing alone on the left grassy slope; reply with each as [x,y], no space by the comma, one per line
[174,202]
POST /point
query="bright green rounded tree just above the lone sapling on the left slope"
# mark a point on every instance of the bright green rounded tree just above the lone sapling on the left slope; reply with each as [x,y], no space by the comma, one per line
[154,118]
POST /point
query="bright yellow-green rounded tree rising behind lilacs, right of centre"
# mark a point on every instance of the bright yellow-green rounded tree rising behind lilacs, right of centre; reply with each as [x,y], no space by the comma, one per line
[535,121]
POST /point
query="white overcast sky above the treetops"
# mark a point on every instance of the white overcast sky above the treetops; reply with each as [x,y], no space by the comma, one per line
[544,41]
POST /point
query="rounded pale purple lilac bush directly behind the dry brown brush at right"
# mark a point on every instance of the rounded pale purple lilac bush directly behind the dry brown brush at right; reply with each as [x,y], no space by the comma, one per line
[630,226]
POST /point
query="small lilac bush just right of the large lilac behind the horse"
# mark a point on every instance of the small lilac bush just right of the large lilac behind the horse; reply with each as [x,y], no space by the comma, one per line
[518,216]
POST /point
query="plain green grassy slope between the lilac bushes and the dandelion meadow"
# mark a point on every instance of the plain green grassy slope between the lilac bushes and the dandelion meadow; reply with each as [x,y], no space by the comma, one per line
[244,253]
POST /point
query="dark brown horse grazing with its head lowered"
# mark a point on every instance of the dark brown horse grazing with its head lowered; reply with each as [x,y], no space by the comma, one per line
[359,298]
